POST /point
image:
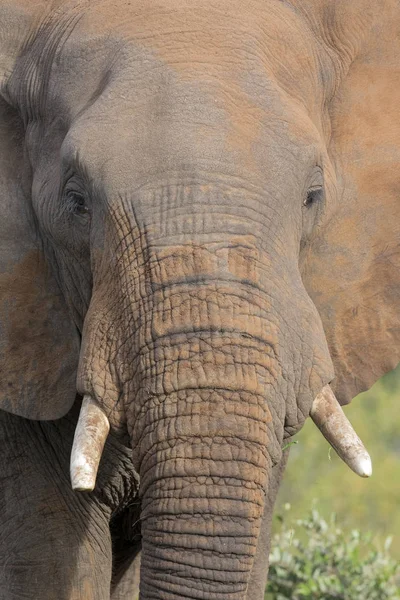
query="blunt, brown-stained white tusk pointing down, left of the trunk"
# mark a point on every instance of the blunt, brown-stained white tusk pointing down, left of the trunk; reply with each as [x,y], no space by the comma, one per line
[90,436]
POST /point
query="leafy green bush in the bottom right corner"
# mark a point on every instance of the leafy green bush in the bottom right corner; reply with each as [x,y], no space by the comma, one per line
[316,560]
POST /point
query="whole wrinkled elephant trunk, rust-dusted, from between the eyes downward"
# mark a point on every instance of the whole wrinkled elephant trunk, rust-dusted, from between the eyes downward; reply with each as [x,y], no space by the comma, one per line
[199,364]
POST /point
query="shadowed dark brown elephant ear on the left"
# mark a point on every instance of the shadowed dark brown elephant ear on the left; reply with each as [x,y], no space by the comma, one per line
[39,343]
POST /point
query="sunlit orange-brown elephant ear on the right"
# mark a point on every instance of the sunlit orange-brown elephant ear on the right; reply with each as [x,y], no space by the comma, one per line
[352,271]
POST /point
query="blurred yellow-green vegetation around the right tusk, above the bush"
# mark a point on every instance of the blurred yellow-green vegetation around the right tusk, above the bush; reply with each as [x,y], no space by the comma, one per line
[315,473]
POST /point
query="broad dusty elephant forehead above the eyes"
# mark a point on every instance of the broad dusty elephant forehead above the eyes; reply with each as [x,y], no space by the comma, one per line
[178,81]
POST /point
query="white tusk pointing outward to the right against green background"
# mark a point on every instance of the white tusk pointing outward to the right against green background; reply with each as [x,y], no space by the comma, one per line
[330,419]
